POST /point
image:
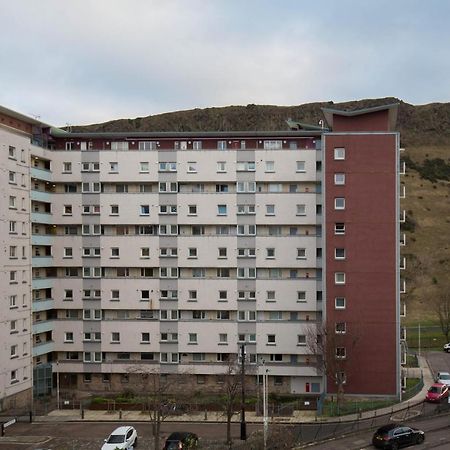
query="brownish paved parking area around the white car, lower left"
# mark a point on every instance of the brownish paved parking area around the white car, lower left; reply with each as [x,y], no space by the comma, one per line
[90,435]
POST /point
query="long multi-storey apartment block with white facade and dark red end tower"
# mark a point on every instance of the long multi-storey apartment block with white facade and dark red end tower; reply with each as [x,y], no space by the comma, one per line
[129,253]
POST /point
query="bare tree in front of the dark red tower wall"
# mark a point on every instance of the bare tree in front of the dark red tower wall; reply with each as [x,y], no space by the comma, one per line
[331,346]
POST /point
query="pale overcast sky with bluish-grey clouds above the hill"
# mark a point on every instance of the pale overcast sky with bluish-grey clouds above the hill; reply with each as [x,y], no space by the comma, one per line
[87,61]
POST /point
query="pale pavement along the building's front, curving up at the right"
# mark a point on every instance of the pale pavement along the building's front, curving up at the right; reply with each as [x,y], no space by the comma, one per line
[251,417]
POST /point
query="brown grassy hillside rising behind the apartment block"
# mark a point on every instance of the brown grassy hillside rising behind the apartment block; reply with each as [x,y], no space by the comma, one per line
[425,133]
